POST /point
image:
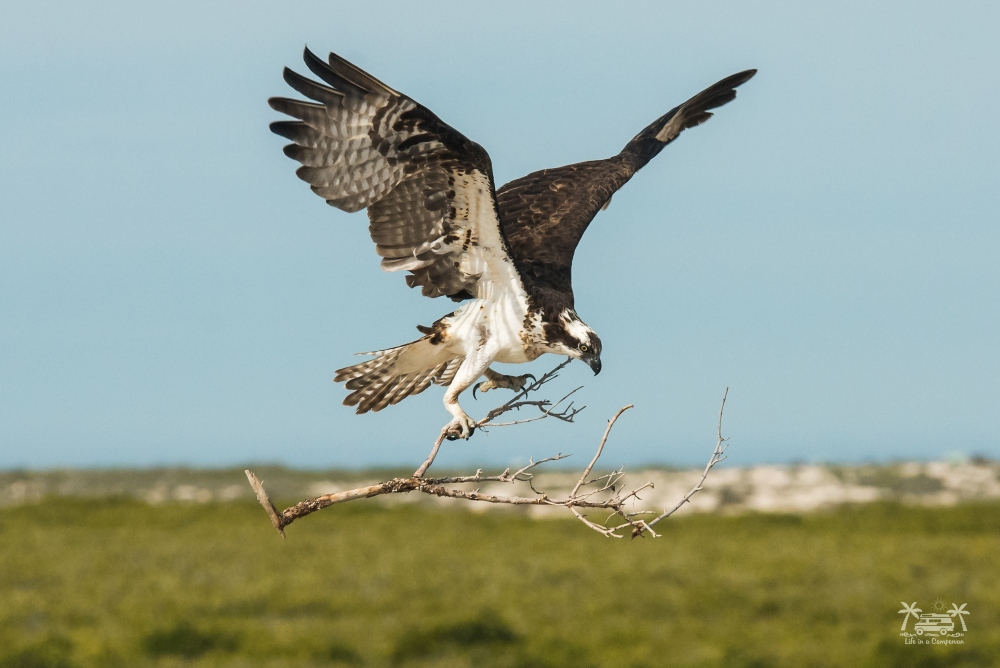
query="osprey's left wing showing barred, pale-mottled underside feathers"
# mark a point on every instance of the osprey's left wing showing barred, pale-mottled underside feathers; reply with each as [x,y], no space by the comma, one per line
[429,190]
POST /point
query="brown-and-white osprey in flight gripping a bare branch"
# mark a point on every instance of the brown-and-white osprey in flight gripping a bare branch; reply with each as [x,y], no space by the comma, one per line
[434,212]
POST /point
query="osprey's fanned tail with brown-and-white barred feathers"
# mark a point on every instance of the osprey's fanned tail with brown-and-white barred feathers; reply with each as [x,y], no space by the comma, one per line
[396,373]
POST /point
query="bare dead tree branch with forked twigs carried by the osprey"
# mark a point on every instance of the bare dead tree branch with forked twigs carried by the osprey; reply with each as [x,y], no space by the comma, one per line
[605,492]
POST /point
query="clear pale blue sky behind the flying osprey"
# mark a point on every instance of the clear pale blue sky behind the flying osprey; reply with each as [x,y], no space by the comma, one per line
[826,246]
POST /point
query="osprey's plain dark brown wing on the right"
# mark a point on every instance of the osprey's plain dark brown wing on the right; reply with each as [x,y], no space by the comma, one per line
[545,214]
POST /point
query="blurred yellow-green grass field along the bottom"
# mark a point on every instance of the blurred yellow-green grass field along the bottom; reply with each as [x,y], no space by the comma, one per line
[122,583]
